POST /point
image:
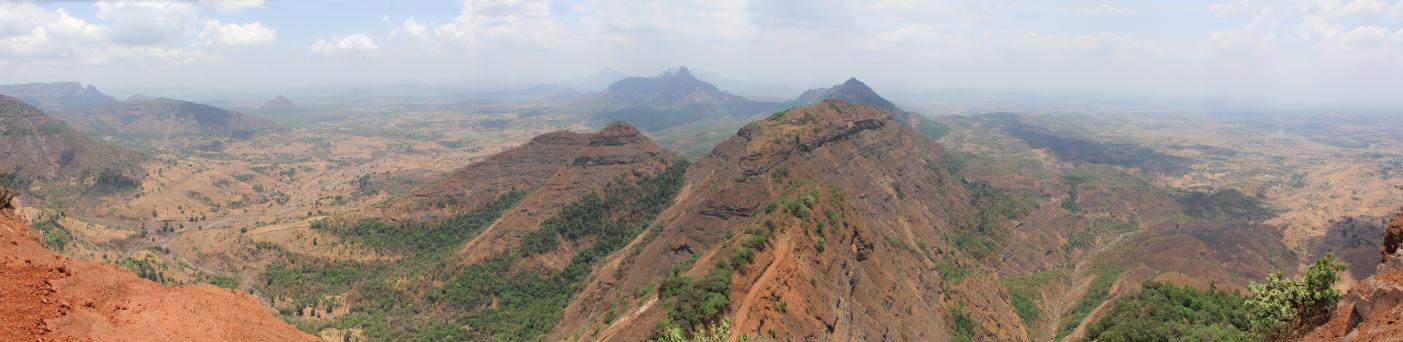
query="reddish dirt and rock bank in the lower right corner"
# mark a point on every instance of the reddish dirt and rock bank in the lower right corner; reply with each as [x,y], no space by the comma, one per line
[1373,310]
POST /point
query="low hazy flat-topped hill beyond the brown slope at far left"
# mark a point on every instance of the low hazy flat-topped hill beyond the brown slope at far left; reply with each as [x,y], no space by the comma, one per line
[163,118]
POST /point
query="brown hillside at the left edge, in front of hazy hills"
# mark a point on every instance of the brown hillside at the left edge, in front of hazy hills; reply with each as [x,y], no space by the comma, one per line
[37,146]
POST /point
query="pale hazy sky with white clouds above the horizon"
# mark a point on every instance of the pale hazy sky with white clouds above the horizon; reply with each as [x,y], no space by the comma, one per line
[1283,51]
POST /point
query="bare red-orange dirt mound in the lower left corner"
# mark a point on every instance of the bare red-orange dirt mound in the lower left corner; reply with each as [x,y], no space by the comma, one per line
[50,298]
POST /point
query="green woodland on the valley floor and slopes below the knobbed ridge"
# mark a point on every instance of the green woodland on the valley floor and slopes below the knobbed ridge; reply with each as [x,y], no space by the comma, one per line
[429,296]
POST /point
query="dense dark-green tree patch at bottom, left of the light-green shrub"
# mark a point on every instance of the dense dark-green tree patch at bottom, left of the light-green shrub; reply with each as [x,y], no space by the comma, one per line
[1162,312]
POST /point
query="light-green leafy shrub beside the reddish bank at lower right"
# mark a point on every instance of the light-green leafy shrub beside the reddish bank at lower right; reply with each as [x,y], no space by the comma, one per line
[1284,308]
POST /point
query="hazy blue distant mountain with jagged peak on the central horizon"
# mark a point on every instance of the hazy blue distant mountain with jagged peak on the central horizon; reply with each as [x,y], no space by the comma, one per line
[670,100]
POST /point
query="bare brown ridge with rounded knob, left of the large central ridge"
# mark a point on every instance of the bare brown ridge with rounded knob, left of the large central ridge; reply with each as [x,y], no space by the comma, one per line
[560,159]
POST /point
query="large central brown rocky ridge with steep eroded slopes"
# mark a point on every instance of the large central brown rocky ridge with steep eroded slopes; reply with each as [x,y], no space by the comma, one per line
[823,222]
